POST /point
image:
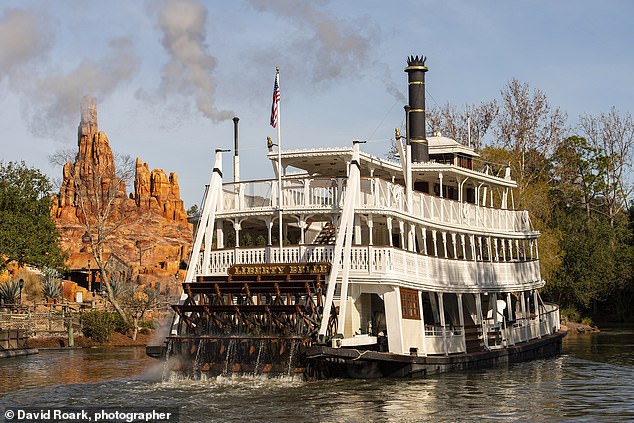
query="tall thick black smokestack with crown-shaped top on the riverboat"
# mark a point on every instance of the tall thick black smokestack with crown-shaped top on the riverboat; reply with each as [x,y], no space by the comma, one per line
[416,86]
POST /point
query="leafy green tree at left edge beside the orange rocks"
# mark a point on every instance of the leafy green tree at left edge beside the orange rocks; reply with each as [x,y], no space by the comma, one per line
[27,233]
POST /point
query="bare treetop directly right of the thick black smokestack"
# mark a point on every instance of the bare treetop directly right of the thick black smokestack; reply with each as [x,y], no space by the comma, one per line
[467,127]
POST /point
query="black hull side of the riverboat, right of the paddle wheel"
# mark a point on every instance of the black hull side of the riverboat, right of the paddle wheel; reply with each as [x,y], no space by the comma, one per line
[325,362]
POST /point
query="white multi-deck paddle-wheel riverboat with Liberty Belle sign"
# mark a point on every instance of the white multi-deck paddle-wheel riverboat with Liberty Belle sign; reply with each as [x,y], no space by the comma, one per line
[350,265]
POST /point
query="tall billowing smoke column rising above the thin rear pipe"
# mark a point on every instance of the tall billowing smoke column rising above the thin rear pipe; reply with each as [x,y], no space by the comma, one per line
[188,73]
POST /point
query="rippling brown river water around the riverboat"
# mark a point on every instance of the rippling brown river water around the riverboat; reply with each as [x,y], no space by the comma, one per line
[592,381]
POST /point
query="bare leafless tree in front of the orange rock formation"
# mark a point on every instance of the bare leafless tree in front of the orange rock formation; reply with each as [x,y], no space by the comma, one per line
[97,184]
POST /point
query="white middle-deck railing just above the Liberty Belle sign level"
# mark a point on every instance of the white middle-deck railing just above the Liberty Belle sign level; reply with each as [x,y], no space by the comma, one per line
[381,263]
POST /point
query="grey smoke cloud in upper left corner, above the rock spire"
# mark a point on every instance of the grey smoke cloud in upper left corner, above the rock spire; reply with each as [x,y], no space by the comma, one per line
[50,97]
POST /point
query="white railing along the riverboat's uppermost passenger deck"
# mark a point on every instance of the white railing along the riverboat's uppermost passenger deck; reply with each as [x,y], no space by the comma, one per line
[375,193]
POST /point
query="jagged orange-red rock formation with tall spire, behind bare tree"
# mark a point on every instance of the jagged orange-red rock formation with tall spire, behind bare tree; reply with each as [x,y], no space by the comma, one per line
[156,236]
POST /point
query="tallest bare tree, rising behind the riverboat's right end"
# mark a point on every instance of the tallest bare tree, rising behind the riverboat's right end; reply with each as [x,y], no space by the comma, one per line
[530,128]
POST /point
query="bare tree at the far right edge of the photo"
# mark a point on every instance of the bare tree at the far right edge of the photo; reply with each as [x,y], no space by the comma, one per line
[611,135]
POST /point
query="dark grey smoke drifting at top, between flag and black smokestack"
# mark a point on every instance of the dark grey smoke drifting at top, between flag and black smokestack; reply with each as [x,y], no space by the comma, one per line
[329,47]
